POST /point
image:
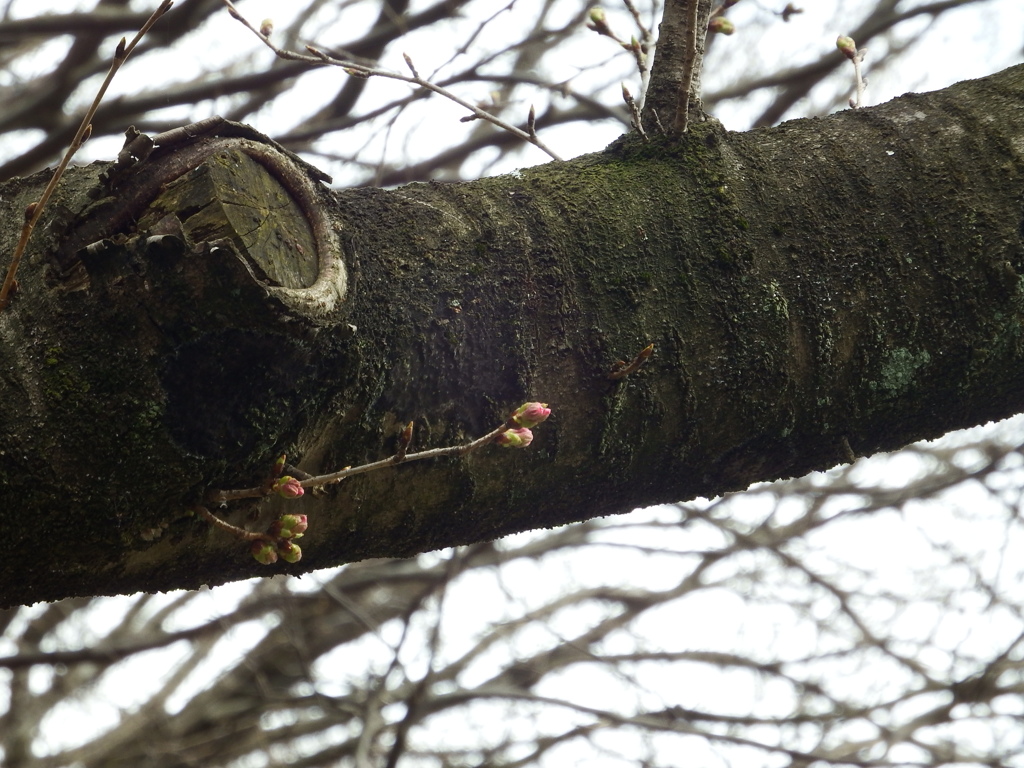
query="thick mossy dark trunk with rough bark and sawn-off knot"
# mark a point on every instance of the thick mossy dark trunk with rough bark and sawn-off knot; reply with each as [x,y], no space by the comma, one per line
[831,288]
